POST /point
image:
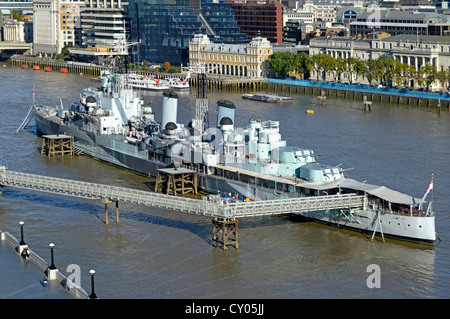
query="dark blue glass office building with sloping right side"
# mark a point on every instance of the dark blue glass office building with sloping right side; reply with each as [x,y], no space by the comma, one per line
[165,27]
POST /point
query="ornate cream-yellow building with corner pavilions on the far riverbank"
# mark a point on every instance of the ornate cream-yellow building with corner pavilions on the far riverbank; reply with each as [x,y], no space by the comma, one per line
[242,60]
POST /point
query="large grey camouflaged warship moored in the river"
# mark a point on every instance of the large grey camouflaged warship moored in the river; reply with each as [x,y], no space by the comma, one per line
[112,123]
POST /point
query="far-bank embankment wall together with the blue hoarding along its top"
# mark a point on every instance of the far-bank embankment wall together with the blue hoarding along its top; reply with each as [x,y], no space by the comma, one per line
[224,83]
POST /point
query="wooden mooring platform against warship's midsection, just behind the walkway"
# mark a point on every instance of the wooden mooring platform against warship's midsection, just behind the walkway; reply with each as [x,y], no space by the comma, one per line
[176,180]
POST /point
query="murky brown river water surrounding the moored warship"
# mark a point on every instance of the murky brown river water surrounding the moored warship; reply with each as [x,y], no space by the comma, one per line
[160,254]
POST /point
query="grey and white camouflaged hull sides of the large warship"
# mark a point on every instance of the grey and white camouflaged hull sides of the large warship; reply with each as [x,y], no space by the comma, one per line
[114,151]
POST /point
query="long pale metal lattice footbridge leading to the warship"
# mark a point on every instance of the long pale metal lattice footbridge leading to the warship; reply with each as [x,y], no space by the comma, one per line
[212,208]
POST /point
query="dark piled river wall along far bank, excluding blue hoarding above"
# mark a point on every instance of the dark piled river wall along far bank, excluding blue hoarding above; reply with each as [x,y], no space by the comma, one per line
[218,82]
